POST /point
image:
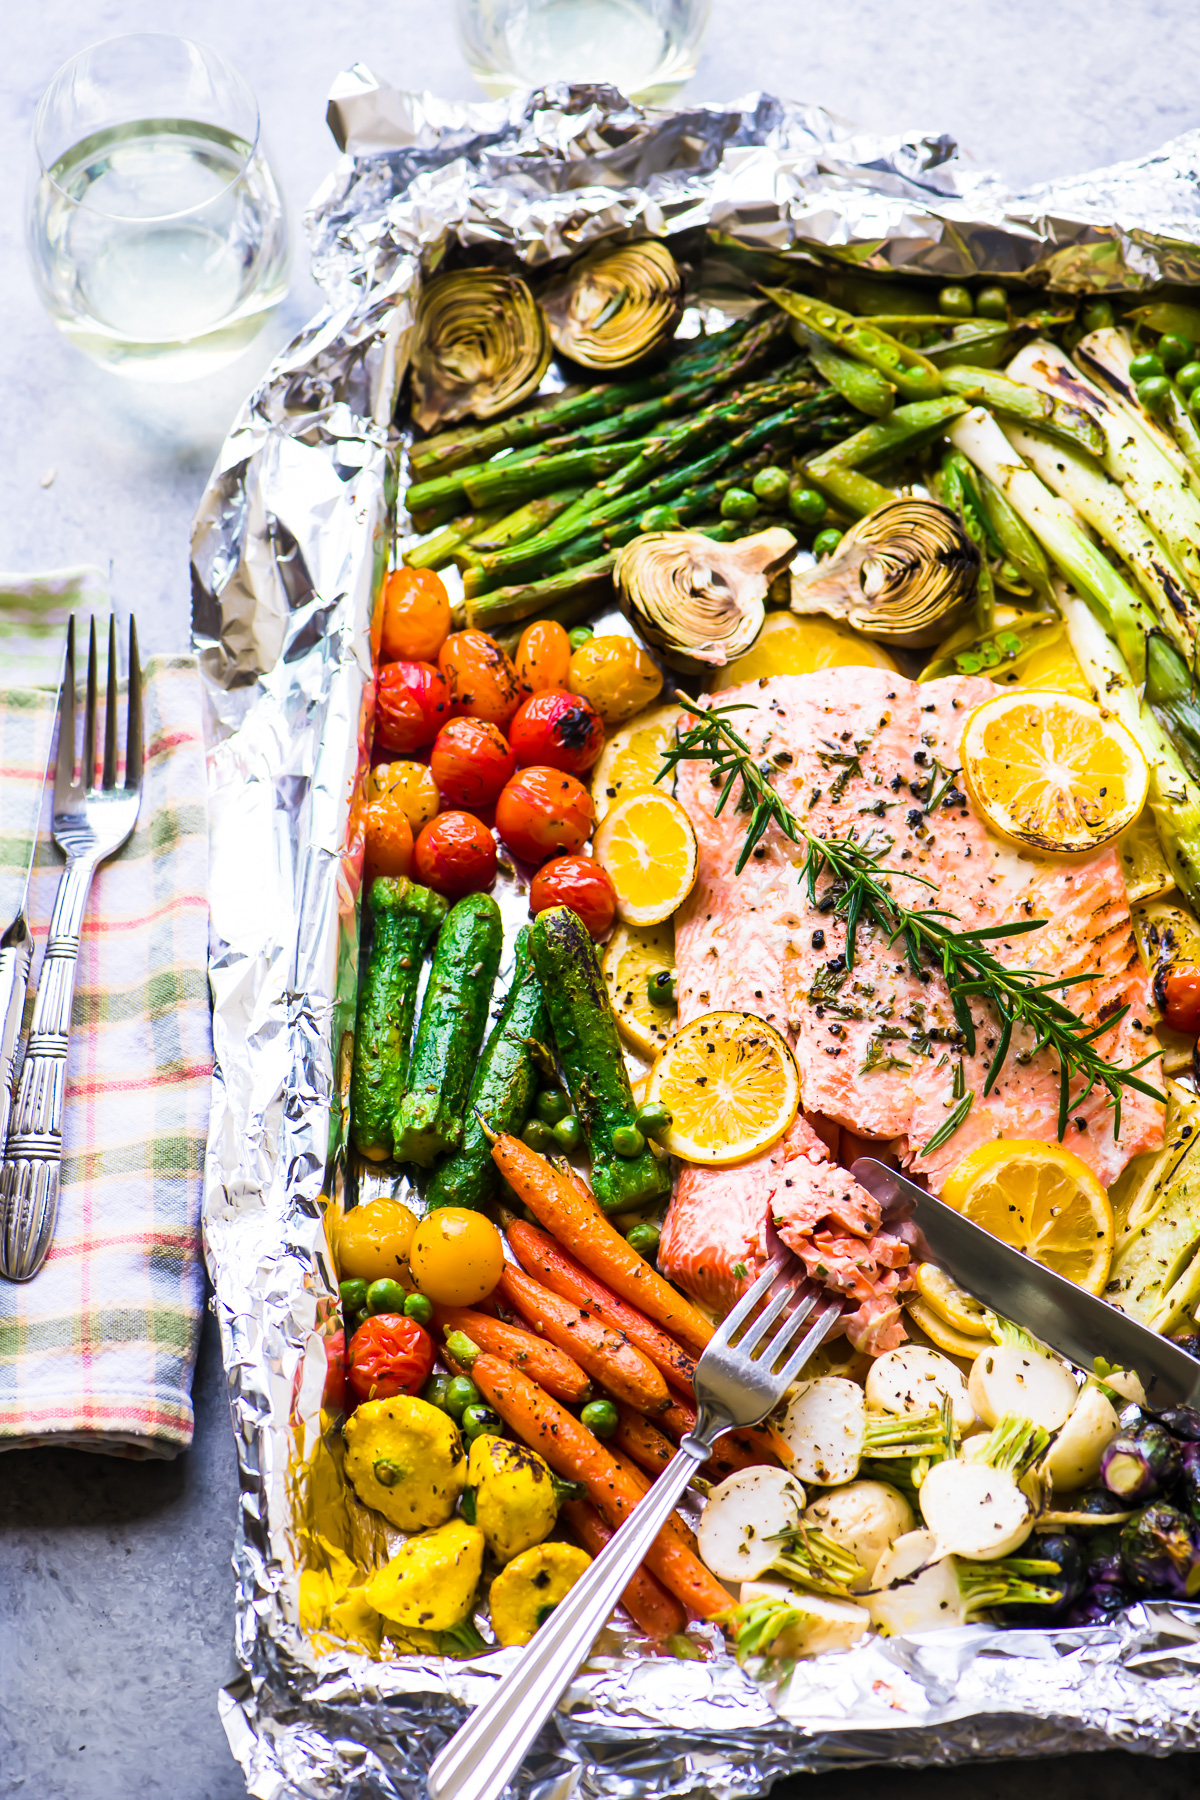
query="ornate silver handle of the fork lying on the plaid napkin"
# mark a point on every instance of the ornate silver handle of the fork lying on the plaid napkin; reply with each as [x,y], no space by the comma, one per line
[30,1182]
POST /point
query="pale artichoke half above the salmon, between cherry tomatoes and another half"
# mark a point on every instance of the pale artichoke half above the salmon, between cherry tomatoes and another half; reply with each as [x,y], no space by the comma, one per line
[701,604]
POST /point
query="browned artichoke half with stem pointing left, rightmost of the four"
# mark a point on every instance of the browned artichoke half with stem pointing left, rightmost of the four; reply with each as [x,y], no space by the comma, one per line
[904,575]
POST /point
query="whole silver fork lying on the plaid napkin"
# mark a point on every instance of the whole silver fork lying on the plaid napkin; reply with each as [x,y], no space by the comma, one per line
[91,825]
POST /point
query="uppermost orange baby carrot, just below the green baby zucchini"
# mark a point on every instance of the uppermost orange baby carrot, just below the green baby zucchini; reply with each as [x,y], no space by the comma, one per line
[559,1205]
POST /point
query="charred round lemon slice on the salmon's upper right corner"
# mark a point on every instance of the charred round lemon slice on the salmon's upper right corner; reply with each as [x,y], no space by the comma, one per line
[1053,773]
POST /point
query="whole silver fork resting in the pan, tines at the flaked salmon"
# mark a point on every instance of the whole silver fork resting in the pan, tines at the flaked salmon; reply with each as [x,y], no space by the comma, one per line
[740,1378]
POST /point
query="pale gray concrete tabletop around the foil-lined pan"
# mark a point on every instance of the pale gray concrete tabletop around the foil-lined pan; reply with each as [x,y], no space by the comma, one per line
[114,1578]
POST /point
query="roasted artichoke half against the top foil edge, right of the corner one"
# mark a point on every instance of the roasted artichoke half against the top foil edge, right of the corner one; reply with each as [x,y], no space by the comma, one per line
[614,307]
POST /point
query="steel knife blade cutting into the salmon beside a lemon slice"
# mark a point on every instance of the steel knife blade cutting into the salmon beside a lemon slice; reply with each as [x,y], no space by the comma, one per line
[1064,1317]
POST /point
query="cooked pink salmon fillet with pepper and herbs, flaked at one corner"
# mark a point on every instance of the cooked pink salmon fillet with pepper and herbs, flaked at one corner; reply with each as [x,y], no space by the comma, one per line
[877,1047]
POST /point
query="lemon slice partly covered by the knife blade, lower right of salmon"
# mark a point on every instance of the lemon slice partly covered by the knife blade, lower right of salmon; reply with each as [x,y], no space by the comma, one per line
[1044,1201]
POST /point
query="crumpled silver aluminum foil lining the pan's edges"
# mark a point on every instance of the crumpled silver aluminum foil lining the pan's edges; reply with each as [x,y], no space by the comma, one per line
[289,546]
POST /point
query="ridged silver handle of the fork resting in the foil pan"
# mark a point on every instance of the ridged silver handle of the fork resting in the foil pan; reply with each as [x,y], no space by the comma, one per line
[494,1743]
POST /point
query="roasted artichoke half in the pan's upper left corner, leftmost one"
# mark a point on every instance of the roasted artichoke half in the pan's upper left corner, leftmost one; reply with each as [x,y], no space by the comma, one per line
[481,346]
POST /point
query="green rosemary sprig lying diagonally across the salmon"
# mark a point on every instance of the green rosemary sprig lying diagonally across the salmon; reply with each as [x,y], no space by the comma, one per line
[848,876]
